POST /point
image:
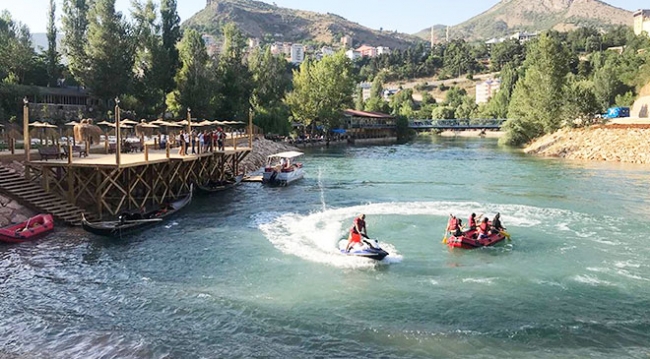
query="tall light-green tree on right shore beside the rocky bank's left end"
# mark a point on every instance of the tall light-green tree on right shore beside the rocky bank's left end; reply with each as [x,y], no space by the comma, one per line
[537,101]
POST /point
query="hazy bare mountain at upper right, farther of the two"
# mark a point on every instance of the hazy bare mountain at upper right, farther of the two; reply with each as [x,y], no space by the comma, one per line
[510,16]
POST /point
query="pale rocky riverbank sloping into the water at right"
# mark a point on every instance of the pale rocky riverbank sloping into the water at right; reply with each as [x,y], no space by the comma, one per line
[617,143]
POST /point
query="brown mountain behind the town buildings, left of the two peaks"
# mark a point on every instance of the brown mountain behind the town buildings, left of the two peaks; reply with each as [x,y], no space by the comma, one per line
[273,23]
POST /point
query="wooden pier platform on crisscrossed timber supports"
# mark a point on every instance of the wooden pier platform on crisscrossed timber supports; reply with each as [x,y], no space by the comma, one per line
[98,185]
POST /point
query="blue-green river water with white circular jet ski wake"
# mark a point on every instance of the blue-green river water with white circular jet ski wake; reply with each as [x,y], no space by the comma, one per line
[254,272]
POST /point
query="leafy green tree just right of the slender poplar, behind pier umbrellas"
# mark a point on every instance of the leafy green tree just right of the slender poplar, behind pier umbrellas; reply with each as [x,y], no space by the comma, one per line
[195,79]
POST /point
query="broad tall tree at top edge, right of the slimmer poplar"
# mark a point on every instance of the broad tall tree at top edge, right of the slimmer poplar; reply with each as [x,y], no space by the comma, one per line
[109,51]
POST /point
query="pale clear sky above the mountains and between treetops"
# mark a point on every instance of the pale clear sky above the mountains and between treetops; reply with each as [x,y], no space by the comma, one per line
[409,16]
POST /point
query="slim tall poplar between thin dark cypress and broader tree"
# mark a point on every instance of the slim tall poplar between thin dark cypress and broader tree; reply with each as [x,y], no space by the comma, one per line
[75,30]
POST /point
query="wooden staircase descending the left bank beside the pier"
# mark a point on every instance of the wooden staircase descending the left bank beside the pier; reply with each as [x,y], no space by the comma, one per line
[34,197]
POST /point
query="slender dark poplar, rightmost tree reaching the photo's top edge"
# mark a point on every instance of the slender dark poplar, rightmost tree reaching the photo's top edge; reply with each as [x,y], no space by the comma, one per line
[171,35]
